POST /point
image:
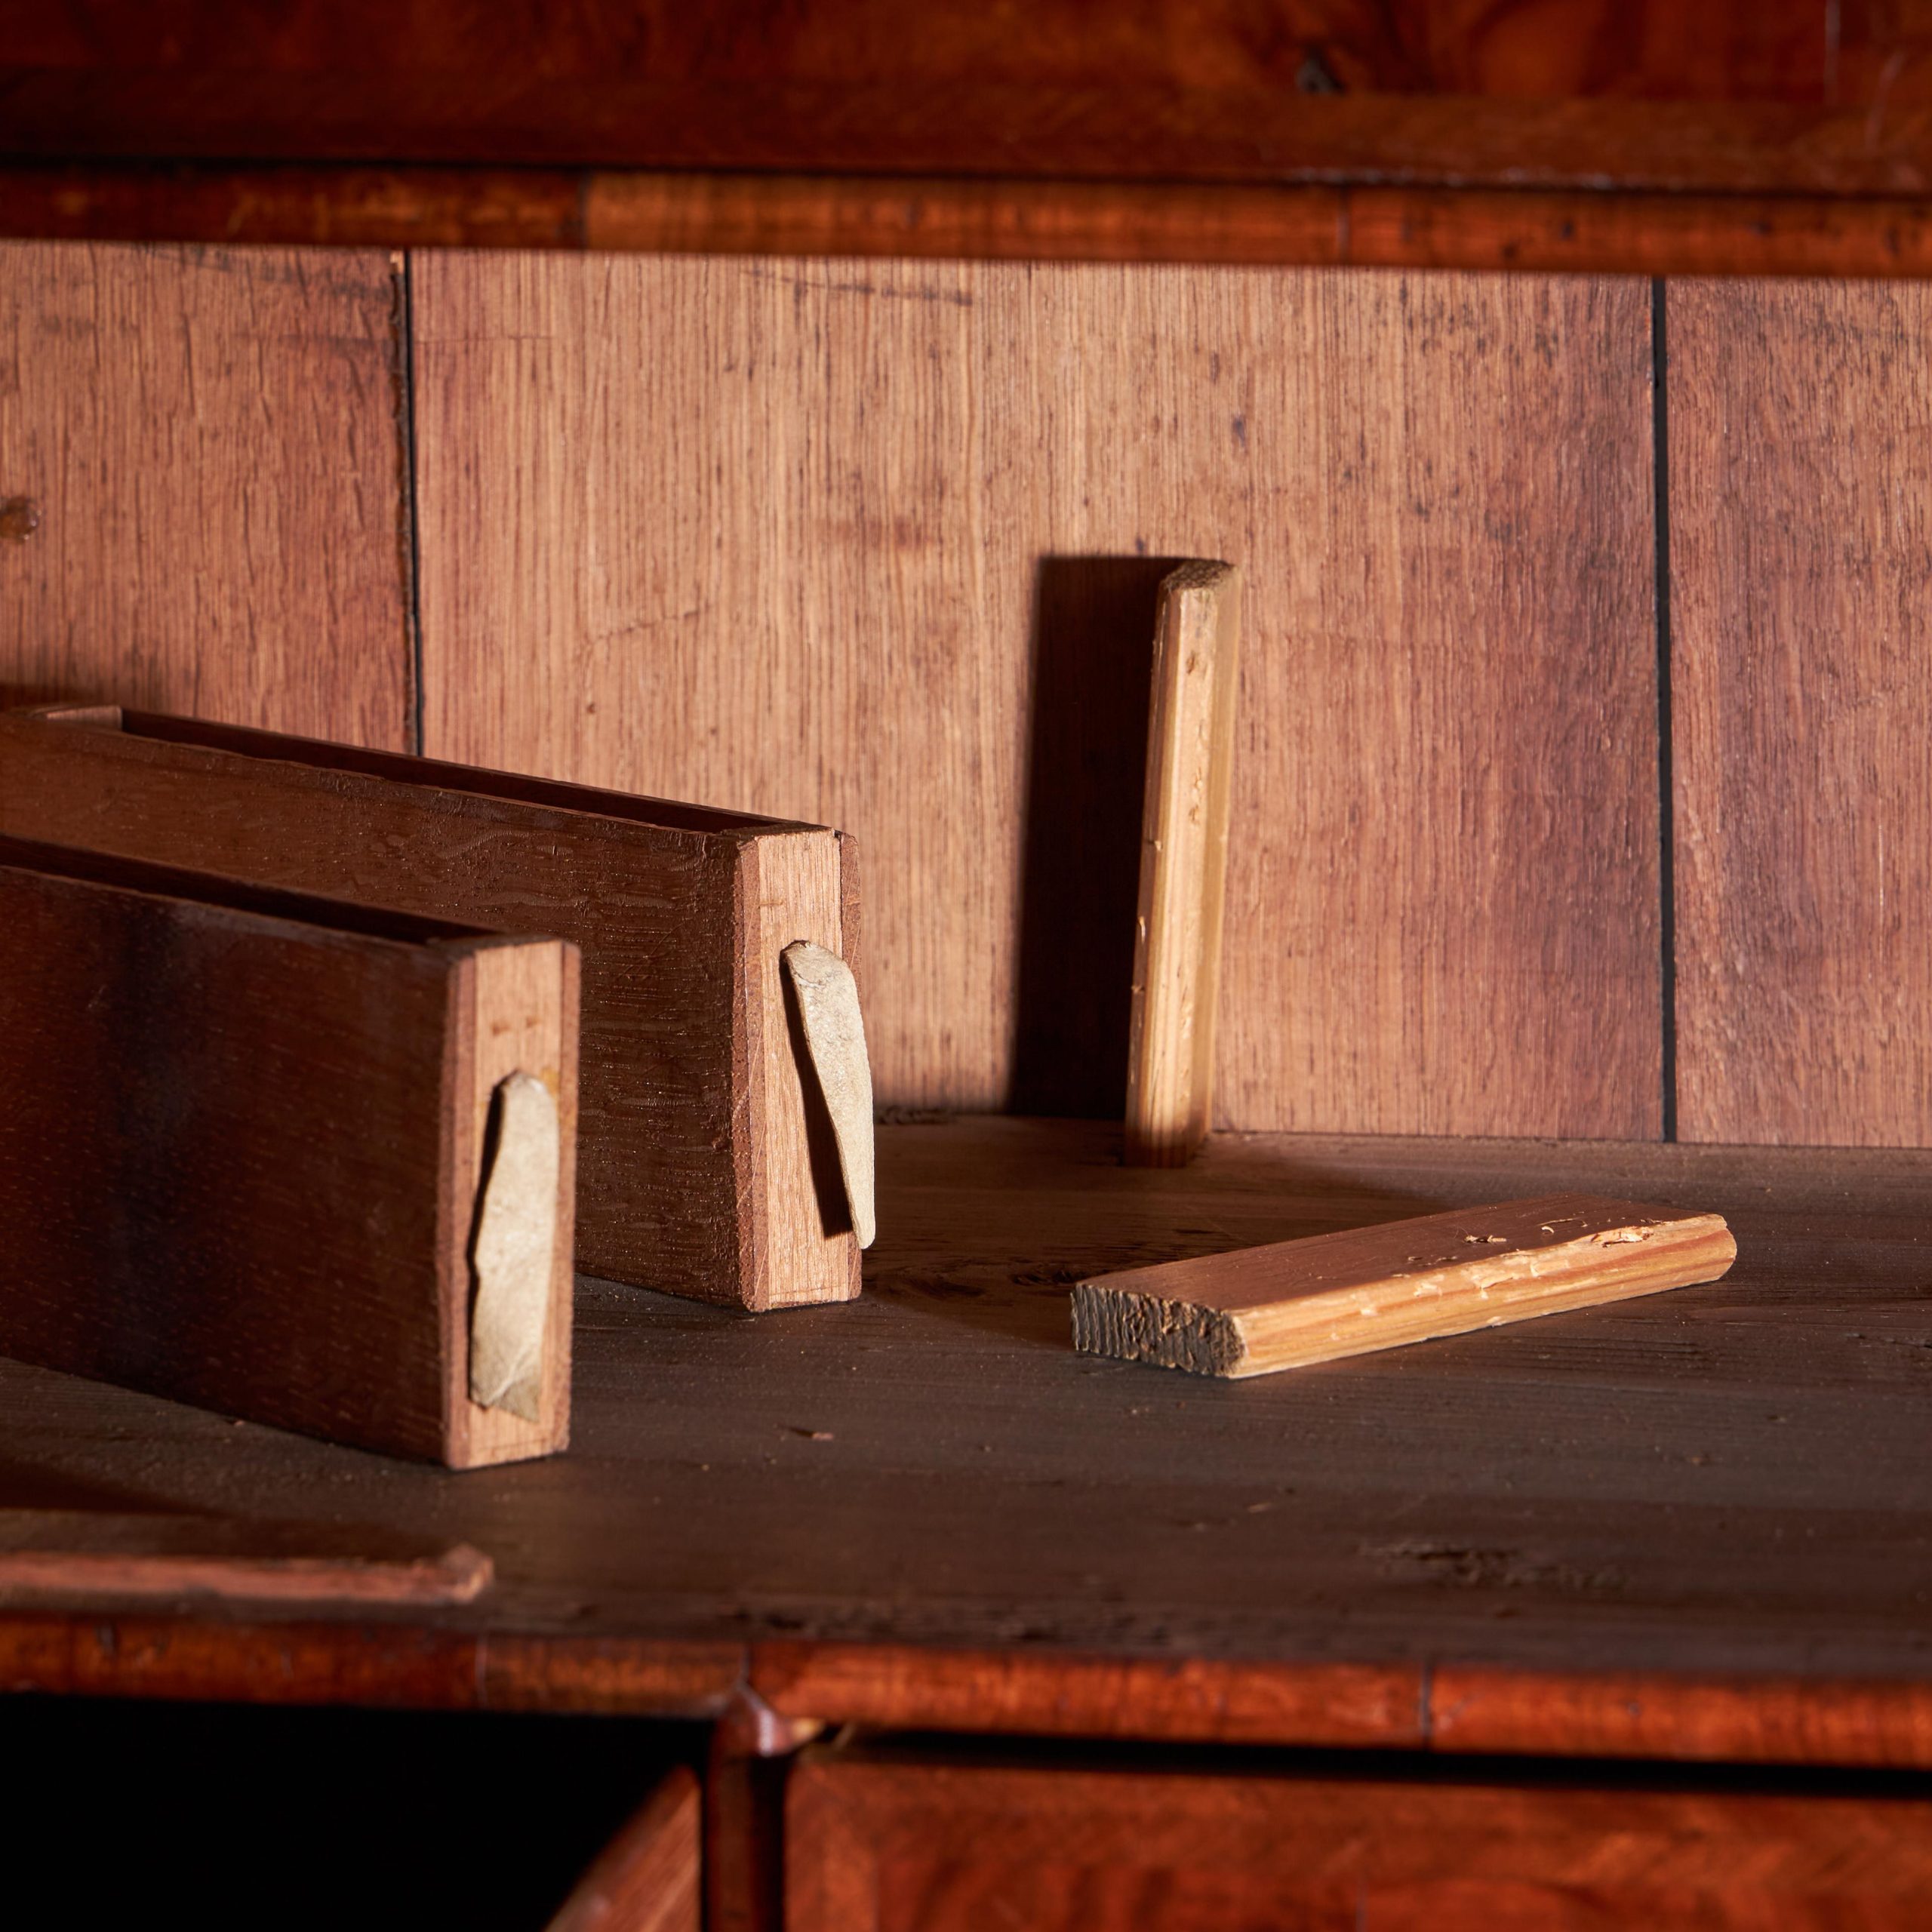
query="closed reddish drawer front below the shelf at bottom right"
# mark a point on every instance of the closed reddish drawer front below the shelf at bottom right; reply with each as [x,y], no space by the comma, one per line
[909,1844]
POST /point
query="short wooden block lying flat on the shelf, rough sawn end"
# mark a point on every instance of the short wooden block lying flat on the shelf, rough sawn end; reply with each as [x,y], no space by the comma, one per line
[1293,1303]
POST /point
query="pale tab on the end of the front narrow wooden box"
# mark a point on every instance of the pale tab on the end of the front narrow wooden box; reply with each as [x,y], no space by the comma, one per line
[515,1251]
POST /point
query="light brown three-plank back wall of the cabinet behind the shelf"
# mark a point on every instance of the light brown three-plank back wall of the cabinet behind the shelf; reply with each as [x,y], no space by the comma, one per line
[874,546]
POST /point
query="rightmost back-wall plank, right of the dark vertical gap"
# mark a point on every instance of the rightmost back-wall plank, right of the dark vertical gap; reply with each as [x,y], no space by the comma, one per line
[1802,476]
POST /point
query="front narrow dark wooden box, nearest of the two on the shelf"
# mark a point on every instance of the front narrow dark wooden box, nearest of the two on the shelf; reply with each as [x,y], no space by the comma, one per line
[241,1141]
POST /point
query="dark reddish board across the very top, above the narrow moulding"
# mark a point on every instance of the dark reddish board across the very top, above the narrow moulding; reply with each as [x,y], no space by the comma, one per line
[1786,96]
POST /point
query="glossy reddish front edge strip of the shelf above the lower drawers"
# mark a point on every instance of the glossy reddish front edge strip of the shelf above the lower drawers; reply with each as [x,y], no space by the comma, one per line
[1450,1709]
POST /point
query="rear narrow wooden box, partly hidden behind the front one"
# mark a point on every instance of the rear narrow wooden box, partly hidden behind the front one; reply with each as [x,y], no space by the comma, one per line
[698,1166]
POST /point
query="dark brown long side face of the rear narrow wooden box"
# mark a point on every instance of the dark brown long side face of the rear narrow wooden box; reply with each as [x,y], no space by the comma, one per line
[656,917]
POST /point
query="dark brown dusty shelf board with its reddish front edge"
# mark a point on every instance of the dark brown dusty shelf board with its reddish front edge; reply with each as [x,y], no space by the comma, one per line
[1717,1487]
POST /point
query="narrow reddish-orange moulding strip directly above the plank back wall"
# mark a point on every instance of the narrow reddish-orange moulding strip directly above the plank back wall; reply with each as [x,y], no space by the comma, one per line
[1301,225]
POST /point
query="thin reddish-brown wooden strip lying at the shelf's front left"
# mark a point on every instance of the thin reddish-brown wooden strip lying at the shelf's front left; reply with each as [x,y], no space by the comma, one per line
[53,1554]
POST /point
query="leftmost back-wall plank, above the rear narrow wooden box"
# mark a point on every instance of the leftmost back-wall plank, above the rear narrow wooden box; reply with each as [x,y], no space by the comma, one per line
[212,443]
